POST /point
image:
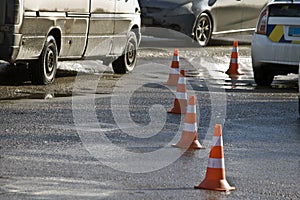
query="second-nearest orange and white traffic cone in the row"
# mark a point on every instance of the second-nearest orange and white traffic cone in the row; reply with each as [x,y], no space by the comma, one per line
[189,136]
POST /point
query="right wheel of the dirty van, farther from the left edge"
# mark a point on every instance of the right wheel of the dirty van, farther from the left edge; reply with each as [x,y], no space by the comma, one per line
[127,61]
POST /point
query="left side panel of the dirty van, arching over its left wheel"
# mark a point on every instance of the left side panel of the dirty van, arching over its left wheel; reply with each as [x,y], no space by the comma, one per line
[68,18]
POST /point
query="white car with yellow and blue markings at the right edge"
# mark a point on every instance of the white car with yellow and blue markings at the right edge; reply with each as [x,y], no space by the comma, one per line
[276,41]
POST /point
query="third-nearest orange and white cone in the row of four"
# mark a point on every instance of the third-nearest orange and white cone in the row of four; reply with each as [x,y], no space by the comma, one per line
[180,101]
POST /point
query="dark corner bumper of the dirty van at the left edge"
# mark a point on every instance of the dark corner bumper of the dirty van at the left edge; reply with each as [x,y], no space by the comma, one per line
[10,46]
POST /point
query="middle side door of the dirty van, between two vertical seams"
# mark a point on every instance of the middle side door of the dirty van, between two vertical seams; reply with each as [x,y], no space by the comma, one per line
[101,28]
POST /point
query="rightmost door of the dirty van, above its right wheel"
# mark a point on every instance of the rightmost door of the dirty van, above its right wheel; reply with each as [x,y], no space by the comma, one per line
[125,15]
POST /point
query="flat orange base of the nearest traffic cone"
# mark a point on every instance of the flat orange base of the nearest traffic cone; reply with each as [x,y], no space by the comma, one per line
[218,185]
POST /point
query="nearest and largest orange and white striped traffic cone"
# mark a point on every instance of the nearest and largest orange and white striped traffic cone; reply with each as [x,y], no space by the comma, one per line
[215,172]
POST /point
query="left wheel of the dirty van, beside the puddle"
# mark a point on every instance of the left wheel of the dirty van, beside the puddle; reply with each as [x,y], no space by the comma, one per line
[44,69]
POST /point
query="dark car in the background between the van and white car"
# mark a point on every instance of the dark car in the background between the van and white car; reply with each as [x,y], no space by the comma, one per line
[202,19]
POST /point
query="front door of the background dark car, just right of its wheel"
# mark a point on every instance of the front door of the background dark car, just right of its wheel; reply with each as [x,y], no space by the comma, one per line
[227,15]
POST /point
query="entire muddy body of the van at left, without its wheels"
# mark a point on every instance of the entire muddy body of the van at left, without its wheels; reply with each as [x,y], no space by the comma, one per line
[82,28]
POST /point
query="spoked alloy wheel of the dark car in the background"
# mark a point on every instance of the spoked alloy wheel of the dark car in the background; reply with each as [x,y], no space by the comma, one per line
[203,29]
